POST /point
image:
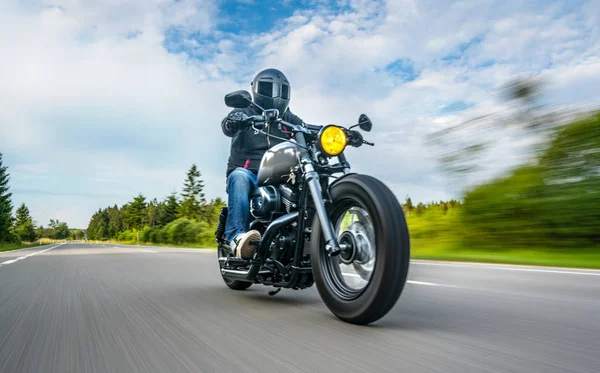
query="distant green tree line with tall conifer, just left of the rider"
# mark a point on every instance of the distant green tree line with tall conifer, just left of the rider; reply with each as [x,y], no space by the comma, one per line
[185,218]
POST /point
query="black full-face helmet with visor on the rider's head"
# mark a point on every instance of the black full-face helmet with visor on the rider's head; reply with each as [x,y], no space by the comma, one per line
[271,90]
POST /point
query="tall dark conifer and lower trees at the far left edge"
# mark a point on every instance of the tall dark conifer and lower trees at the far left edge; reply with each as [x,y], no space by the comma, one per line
[20,227]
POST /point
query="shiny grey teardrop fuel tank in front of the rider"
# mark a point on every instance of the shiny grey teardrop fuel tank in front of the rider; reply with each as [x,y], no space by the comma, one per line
[278,163]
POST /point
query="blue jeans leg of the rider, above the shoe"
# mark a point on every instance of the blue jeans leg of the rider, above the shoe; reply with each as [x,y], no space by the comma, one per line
[240,185]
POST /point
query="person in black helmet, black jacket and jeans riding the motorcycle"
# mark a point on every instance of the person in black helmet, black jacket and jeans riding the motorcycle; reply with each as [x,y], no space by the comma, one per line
[270,90]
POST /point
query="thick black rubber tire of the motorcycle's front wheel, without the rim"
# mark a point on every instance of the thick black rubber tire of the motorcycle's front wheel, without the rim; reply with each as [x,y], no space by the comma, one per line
[392,252]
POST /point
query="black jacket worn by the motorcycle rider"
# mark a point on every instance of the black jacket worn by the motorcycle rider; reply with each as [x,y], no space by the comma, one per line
[247,148]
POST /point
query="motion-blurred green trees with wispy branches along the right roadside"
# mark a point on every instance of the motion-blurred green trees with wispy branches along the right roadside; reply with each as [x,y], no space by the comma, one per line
[550,202]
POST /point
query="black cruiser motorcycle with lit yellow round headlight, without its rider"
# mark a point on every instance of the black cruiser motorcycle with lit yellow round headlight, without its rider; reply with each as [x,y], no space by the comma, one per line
[347,234]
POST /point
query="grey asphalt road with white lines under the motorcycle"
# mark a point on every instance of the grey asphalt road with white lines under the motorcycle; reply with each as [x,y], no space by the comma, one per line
[102,308]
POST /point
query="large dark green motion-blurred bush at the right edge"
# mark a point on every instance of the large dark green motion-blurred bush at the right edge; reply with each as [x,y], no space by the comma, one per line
[552,202]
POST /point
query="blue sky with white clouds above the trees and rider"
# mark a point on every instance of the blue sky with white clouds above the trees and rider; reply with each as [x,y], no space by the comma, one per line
[101,100]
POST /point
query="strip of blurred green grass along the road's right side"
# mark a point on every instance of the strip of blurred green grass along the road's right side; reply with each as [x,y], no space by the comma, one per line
[450,251]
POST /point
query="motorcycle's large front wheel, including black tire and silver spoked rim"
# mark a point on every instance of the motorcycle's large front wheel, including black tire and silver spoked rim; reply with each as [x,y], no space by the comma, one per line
[363,282]
